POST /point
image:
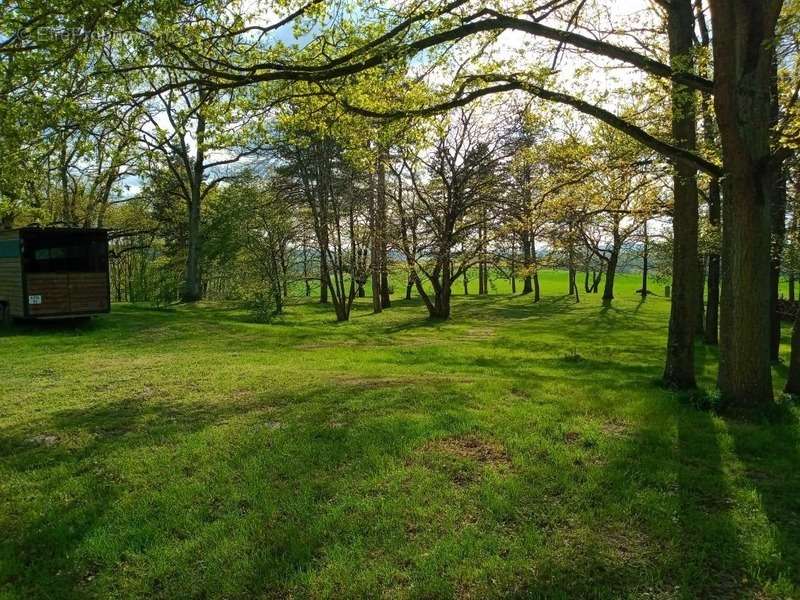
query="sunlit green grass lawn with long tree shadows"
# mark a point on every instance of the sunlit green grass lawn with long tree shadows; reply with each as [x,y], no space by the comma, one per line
[517,450]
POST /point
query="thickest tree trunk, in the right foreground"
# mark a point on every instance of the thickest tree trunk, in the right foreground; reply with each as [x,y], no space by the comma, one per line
[743,32]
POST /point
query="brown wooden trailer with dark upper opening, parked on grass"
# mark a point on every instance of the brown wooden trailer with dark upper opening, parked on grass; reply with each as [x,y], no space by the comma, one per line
[49,273]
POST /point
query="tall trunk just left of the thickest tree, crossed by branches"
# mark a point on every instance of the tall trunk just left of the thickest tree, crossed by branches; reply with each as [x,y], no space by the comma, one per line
[679,368]
